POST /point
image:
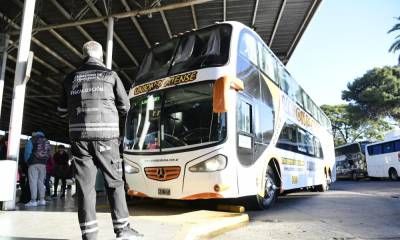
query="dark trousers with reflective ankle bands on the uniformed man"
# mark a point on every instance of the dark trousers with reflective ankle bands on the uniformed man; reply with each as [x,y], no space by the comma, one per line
[104,155]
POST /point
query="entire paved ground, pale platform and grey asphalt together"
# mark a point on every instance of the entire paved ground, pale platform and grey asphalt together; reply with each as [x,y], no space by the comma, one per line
[352,210]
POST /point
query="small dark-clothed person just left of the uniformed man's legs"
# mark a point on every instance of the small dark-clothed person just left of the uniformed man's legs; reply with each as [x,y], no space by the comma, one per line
[61,170]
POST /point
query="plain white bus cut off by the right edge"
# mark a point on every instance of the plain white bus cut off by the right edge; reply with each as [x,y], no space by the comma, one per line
[383,159]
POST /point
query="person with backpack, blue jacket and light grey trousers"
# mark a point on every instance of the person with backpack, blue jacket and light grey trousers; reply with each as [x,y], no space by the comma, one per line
[37,153]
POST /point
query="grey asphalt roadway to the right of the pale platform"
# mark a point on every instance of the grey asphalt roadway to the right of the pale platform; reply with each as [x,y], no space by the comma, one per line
[351,210]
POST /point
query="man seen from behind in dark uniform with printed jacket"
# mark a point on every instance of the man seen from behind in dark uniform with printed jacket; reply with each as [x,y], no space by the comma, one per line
[93,96]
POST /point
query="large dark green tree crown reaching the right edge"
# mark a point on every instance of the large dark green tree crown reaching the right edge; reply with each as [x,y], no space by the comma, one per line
[376,94]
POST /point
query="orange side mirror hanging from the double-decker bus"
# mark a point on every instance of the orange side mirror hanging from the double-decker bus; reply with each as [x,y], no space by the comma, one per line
[221,90]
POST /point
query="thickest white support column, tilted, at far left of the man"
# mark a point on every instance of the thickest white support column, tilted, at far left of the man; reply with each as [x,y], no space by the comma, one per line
[17,108]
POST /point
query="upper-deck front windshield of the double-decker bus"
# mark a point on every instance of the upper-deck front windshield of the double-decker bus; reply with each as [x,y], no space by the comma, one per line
[208,47]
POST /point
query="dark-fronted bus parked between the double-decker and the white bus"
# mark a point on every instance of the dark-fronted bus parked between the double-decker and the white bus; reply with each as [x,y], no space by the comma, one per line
[350,160]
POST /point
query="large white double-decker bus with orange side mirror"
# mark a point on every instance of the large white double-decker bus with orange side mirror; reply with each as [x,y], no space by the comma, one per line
[214,114]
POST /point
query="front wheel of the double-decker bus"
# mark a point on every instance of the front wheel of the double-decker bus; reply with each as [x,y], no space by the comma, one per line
[271,192]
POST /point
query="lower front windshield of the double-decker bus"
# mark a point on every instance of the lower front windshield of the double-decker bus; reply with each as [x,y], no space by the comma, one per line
[174,119]
